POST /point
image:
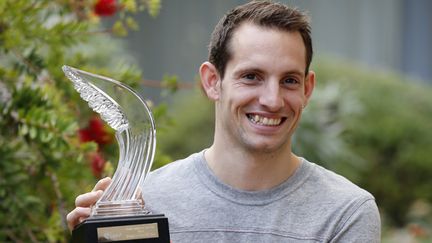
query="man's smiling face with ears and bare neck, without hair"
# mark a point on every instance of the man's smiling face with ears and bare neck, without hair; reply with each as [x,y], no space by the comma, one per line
[259,100]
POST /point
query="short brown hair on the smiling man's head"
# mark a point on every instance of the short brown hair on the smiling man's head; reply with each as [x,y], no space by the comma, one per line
[262,13]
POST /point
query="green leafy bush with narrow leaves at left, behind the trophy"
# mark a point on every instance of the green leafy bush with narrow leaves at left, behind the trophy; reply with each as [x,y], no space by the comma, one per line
[43,163]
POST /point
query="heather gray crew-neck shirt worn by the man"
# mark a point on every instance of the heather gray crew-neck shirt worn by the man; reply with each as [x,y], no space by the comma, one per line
[313,205]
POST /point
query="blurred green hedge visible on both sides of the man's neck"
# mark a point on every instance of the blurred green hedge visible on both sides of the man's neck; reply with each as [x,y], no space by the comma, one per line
[370,126]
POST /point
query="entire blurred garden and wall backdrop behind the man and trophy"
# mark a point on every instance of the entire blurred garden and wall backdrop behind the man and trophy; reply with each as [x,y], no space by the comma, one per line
[369,119]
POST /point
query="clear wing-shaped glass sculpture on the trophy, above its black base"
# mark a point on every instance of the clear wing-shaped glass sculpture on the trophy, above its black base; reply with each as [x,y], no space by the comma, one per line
[127,113]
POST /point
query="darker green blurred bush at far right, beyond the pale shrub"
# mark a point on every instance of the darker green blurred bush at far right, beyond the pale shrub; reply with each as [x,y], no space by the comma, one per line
[393,135]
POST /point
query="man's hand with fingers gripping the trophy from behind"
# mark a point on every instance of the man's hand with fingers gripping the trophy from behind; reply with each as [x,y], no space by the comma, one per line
[84,201]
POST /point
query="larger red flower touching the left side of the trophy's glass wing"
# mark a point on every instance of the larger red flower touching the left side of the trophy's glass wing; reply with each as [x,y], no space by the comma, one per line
[96,132]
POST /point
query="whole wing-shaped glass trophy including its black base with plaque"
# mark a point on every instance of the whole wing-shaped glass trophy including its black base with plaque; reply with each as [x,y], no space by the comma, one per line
[120,214]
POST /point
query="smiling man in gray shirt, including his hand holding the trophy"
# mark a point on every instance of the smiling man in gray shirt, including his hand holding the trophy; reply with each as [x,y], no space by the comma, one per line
[249,186]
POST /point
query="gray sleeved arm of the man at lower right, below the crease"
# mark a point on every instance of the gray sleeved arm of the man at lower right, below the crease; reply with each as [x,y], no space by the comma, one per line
[364,225]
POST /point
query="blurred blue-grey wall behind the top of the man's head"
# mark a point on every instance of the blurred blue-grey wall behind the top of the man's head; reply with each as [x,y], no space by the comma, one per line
[388,34]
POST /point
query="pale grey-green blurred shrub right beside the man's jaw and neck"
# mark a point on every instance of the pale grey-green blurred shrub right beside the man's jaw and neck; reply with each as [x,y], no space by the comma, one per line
[324,119]
